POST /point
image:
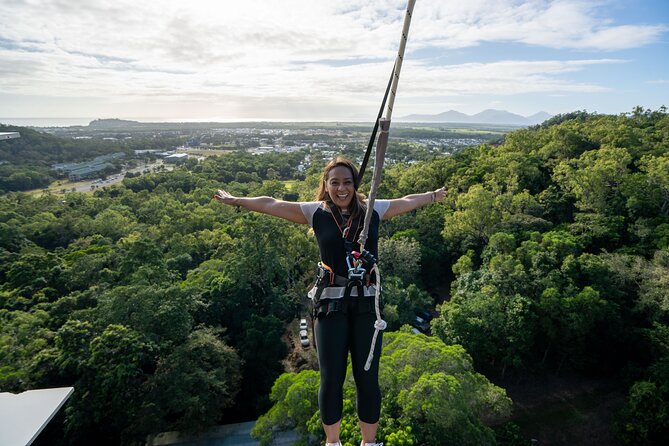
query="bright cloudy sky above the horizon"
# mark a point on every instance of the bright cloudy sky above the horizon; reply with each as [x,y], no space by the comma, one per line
[327,60]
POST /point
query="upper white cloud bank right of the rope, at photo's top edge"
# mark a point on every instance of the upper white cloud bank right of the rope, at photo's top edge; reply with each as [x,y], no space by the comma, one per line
[562,24]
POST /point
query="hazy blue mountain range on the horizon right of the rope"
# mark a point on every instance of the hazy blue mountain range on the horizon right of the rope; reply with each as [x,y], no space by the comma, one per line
[490,116]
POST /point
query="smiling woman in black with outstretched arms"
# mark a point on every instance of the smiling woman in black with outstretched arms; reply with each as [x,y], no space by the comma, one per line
[343,323]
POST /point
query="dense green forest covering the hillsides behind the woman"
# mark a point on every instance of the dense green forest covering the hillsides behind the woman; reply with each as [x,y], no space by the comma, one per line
[168,311]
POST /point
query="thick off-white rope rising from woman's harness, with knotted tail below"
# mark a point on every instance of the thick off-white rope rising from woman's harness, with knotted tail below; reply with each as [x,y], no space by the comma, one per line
[381,146]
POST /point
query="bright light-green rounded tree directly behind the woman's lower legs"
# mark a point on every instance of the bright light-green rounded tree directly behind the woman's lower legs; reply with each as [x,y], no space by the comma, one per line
[431,395]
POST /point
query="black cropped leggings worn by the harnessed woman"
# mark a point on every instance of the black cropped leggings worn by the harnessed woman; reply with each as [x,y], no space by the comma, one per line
[336,334]
